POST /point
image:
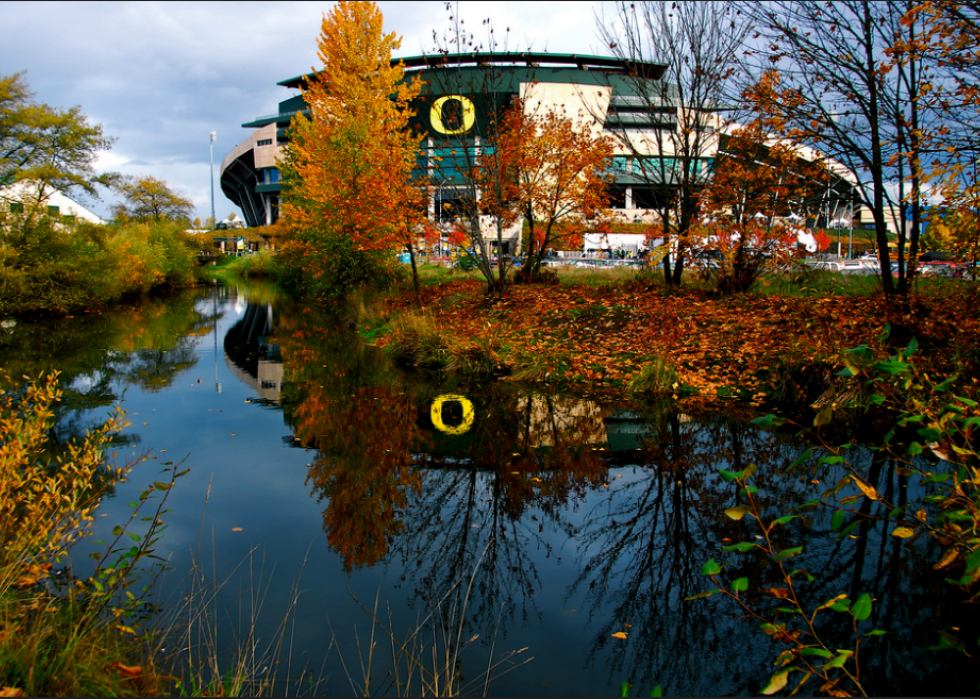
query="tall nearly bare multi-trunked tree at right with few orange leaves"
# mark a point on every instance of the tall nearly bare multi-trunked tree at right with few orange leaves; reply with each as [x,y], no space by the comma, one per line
[854,87]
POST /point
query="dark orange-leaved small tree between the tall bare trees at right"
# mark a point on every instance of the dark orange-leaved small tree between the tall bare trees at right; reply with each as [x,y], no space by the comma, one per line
[757,184]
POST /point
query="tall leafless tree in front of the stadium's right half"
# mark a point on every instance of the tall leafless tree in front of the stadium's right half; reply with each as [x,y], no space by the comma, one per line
[698,43]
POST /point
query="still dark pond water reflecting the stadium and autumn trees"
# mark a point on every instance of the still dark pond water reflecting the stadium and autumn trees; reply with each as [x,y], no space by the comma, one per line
[325,483]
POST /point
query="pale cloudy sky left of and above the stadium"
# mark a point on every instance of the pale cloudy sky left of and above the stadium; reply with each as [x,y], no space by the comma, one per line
[161,76]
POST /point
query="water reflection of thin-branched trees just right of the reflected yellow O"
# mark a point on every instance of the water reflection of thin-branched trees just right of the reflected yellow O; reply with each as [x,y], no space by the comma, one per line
[484,505]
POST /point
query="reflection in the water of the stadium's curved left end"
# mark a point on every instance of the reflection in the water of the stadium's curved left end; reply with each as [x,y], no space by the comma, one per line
[251,357]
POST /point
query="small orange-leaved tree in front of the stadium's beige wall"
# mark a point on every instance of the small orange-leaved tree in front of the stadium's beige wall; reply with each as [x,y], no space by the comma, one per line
[553,172]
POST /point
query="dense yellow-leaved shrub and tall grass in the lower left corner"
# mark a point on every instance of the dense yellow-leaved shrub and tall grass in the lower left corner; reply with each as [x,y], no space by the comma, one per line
[61,636]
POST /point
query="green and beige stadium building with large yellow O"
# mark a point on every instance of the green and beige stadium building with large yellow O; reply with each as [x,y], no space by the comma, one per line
[461,94]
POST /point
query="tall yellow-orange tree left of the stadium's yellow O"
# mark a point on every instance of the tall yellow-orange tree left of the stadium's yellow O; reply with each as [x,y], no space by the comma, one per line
[348,167]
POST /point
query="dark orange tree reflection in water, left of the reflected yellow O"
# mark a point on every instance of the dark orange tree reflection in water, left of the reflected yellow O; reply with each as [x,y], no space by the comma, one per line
[342,401]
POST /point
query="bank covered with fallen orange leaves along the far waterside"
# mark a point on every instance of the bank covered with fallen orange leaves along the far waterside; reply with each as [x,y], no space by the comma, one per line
[621,331]
